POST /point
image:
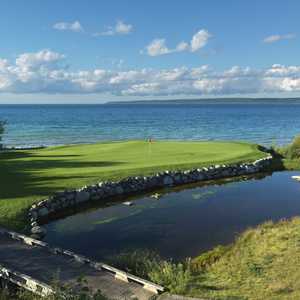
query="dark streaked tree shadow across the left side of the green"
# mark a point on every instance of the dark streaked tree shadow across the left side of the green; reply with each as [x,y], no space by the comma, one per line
[24,174]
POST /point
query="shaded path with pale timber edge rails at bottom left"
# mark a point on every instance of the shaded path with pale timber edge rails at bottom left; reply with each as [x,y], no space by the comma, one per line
[34,265]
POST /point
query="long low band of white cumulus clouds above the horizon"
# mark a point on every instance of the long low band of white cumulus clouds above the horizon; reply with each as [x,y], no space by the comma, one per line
[46,71]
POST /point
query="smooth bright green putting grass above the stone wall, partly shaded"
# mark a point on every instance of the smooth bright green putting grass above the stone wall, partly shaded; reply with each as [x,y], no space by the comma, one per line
[29,176]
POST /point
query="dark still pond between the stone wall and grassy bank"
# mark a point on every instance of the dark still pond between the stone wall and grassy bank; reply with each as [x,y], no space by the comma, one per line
[183,222]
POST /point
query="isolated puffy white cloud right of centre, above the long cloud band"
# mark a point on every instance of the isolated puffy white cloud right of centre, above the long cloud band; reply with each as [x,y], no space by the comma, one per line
[158,46]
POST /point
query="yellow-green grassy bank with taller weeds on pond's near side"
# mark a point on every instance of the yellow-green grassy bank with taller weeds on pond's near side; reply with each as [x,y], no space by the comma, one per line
[263,263]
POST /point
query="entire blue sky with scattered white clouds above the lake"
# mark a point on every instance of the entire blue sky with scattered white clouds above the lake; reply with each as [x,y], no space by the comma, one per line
[66,51]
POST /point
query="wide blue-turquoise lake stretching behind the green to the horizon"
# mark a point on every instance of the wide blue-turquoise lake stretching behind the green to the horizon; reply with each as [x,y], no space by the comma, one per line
[33,125]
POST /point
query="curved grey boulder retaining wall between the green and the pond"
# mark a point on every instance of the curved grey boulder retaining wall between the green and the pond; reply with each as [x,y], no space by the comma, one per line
[103,190]
